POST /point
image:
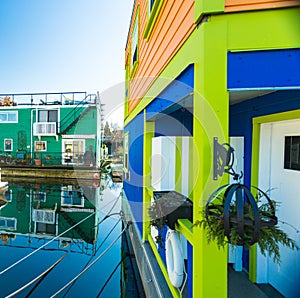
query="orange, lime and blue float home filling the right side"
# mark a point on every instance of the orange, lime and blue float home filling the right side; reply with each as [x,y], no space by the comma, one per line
[206,80]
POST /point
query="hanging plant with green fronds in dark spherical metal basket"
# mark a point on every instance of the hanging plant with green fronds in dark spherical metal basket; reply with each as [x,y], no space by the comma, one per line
[233,215]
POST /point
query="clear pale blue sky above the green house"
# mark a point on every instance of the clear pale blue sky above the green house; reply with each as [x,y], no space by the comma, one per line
[62,45]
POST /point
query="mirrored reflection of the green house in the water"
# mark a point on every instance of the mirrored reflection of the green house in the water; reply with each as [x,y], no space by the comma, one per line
[39,211]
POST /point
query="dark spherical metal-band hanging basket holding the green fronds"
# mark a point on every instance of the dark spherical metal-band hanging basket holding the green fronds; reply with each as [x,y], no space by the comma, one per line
[235,206]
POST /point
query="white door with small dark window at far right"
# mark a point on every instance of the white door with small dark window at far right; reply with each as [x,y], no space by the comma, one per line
[283,180]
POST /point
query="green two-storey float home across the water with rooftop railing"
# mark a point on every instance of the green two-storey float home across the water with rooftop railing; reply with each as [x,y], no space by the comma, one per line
[50,128]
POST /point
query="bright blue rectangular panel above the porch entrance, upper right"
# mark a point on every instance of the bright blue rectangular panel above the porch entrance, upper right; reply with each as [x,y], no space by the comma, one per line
[272,69]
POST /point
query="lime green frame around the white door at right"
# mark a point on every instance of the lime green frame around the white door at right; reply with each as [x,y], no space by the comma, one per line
[257,121]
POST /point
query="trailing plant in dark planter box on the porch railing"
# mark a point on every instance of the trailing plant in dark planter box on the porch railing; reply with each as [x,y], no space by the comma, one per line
[166,209]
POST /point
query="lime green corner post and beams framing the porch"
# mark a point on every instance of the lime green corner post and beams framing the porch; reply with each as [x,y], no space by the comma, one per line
[207,49]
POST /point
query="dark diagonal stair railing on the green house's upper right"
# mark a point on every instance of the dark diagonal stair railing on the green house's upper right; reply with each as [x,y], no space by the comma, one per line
[75,113]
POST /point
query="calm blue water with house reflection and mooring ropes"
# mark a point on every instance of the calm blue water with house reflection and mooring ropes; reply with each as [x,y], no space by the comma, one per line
[57,231]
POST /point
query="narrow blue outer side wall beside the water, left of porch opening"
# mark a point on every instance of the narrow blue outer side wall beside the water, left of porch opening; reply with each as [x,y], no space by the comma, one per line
[134,187]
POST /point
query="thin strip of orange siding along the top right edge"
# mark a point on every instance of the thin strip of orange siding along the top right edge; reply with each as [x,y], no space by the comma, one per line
[238,5]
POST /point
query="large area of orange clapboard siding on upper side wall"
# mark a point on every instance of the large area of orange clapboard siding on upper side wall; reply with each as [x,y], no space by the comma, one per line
[172,27]
